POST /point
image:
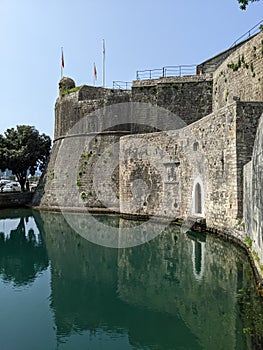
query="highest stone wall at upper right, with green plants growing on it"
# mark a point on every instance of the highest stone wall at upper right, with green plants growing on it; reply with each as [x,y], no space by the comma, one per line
[240,75]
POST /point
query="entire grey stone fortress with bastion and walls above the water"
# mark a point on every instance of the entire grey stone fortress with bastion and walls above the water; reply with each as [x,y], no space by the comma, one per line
[172,147]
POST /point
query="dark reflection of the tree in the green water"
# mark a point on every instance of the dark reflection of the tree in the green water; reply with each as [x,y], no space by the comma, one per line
[21,256]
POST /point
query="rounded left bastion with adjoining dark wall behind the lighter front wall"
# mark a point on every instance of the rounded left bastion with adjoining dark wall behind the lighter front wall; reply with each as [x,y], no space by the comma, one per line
[91,120]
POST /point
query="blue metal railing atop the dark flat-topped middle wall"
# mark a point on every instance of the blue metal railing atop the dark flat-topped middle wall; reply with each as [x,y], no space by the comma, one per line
[166,71]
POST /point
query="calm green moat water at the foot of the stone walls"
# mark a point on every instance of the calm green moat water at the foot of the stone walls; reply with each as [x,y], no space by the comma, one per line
[178,291]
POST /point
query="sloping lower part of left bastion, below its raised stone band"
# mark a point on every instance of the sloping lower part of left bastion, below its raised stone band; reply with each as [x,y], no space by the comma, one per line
[72,177]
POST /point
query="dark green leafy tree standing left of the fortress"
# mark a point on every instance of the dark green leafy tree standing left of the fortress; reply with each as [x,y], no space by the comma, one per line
[24,150]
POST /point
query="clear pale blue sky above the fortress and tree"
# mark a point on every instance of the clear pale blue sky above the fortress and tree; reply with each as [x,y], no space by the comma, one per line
[139,34]
